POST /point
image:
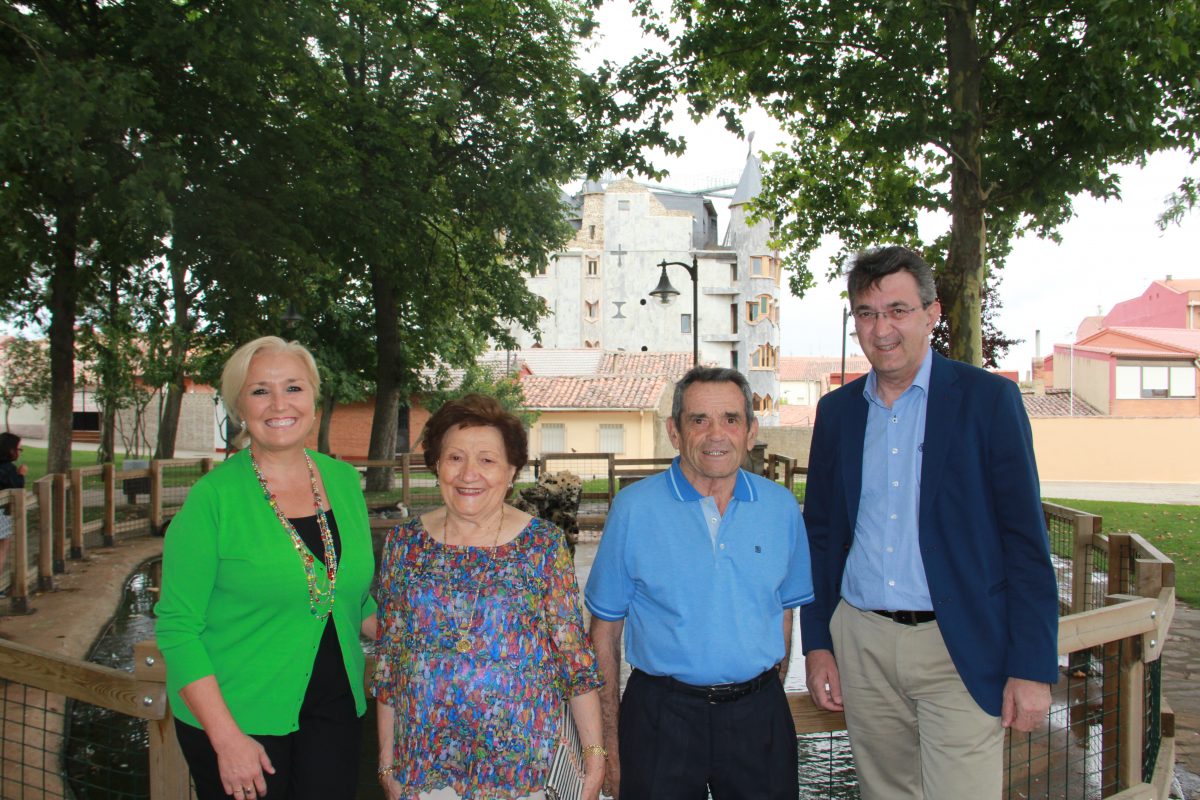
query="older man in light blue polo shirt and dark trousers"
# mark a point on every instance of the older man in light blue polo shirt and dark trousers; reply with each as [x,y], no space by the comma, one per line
[706,563]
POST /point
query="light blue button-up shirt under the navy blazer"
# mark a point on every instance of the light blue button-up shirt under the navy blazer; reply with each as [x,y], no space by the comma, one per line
[885,570]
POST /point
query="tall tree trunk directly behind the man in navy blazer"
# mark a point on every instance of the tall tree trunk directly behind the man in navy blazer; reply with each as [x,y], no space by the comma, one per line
[964,276]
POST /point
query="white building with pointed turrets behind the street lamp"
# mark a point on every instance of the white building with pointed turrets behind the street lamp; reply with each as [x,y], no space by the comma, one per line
[597,290]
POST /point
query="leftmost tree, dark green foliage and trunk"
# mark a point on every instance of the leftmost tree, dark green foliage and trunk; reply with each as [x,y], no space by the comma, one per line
[83,181]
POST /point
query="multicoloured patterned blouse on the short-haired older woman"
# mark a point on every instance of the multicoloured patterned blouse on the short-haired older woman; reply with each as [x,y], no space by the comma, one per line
[477,648]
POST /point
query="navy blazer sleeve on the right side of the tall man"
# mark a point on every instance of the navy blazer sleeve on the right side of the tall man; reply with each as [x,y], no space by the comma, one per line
[1033,593]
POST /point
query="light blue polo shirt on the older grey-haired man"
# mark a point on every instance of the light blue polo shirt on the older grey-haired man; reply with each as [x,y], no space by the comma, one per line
[703,594]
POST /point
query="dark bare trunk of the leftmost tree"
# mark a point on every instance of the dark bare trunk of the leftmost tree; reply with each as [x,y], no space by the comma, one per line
[62,335]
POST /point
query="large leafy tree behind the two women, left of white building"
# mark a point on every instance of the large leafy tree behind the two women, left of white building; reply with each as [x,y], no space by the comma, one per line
[457,125]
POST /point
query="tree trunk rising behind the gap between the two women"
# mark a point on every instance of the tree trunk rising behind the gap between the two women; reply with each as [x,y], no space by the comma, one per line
[383,423]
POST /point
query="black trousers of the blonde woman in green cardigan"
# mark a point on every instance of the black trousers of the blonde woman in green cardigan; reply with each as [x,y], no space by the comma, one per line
[319,762]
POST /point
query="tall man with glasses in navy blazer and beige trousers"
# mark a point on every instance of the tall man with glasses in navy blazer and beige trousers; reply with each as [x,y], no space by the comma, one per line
[935,621]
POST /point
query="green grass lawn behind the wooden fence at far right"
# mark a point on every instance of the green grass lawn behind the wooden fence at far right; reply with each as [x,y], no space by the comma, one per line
[1174,530]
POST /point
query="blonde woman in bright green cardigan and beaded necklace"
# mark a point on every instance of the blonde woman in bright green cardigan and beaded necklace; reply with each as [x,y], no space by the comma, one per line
[266,591]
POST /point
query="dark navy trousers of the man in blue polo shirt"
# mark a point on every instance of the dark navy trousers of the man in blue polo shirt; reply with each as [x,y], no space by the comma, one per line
[677,747]
